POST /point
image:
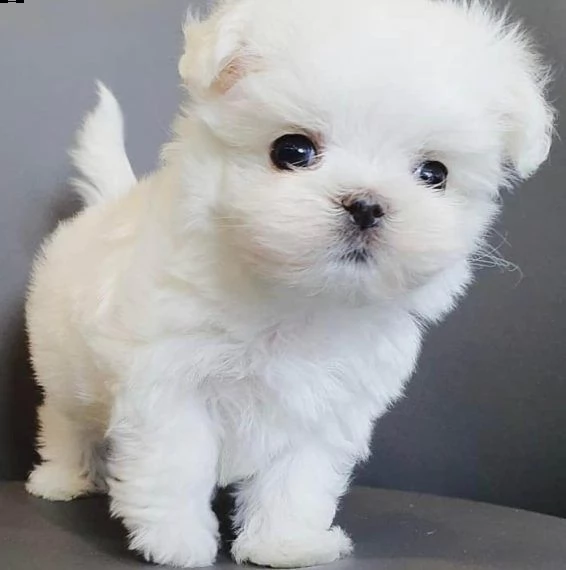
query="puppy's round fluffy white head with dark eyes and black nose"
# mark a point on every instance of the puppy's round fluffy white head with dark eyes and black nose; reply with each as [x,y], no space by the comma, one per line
[362,148]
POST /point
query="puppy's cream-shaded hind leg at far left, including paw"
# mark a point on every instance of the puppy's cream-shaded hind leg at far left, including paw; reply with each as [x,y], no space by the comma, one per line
[68,451]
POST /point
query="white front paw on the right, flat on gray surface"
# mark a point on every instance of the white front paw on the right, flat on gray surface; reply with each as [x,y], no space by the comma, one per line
[306,549]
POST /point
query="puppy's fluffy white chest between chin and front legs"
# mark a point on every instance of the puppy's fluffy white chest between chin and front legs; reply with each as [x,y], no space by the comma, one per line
[285,385]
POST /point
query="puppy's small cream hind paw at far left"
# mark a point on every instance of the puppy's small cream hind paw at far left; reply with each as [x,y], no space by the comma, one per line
[56,482]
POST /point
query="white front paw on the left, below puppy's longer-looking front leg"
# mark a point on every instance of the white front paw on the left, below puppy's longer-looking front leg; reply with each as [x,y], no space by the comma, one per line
[179,546]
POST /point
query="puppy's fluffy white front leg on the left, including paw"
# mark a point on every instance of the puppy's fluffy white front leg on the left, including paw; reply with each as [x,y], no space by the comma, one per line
[162,473]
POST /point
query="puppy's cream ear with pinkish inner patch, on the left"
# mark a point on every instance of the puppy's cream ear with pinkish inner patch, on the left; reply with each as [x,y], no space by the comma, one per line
[215,56]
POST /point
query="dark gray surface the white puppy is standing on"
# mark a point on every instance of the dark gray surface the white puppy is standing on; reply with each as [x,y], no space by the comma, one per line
[392,531]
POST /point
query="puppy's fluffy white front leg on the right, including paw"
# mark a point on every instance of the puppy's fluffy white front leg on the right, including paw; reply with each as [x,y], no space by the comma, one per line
[284,514]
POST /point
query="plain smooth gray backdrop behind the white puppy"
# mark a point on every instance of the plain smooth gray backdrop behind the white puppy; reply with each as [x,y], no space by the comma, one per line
[484,417]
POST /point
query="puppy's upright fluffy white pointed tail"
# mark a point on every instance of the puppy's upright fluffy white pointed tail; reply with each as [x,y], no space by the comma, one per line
[100,153]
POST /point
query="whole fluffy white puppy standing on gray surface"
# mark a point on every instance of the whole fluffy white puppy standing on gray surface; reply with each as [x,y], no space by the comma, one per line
[243,315]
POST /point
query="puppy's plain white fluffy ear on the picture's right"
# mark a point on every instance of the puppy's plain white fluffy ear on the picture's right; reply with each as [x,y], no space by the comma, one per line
[529,118]
